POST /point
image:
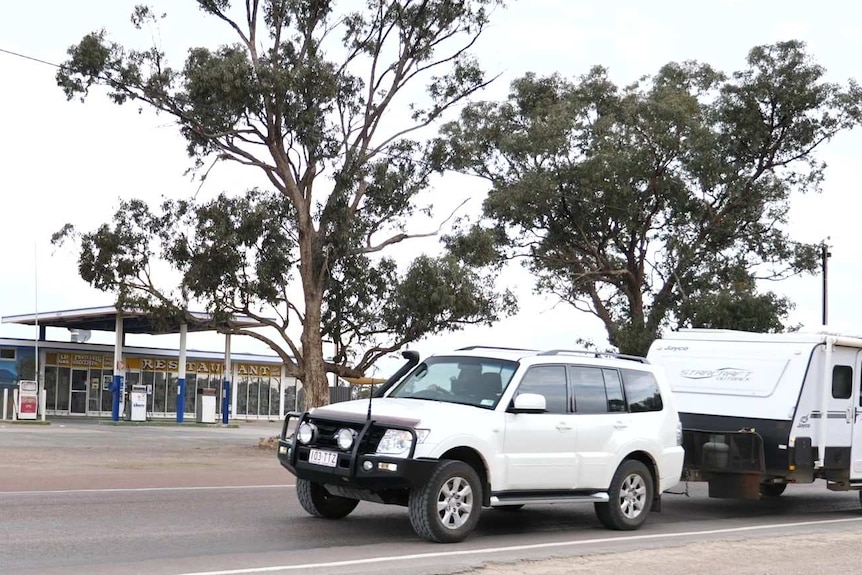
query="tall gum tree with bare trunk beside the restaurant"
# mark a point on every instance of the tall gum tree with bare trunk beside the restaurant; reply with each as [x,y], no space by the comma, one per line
[302,96]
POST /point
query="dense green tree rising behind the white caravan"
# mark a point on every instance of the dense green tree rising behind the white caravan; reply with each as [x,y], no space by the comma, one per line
[639,204]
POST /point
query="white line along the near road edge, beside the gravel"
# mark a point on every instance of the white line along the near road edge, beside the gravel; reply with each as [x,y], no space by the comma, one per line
[492,550]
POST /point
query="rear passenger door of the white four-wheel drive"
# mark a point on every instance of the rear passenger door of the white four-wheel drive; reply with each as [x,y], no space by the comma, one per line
[602,421]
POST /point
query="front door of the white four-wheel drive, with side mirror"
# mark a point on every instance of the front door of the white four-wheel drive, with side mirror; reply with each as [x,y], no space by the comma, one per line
[539,448]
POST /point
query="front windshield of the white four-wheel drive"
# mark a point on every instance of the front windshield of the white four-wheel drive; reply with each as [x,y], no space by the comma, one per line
[478,381]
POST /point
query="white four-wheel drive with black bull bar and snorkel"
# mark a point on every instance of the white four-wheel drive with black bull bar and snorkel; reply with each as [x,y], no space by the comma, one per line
[499,428]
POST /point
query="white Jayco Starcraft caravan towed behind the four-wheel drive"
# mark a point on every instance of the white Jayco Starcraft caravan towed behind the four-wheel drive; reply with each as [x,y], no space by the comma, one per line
[760,411]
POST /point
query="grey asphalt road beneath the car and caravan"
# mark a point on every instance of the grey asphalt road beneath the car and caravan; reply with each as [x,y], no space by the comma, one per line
[81,498]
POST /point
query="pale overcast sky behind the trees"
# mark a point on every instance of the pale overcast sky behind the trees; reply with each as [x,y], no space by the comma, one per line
[66,161]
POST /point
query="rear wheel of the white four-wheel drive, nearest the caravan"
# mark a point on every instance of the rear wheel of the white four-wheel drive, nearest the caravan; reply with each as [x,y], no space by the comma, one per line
[631,493]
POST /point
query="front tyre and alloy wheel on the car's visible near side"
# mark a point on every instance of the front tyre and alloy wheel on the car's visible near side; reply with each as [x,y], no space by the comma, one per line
[447,508]
